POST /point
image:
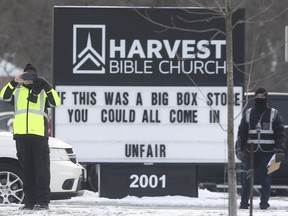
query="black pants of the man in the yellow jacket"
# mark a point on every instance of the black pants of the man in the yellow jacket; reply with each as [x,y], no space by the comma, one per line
[33,155]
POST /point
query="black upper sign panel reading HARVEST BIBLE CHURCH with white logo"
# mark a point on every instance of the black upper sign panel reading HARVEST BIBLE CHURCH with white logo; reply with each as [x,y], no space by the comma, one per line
[161,47]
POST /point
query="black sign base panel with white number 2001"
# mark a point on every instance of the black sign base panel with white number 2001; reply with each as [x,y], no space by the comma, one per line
[120,180]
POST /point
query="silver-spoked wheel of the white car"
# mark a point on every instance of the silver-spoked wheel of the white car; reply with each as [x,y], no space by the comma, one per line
[11,184]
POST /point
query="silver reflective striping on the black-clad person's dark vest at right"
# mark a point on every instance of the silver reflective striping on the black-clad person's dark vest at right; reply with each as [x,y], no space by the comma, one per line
[269,131]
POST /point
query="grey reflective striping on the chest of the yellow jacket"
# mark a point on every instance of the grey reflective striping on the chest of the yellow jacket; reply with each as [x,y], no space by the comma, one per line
[41,106]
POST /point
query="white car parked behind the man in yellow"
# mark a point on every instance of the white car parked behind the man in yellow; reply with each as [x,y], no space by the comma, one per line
[67,175]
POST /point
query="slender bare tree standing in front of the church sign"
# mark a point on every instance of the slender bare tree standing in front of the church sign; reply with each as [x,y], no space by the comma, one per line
[225,11]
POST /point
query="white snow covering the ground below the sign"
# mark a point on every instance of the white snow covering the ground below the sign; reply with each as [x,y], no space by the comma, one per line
[207,204]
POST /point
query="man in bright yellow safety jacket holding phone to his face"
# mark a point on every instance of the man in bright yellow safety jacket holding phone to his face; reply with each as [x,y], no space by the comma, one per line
[31,96]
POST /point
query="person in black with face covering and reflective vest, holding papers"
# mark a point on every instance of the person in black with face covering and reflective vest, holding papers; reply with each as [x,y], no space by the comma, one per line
[262,131]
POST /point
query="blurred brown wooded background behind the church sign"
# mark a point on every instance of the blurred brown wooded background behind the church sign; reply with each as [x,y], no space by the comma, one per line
[26,33]
